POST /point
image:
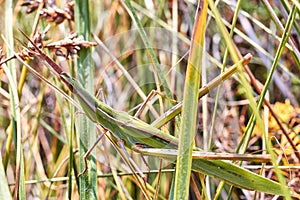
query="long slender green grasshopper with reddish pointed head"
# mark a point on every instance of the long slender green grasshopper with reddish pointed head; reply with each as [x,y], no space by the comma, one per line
[134,132]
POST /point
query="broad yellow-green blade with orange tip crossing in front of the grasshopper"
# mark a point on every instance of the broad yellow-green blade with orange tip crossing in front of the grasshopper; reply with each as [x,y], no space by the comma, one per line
[190,105]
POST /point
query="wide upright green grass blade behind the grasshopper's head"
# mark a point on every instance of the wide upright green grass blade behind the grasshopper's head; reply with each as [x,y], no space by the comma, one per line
[85,129]
